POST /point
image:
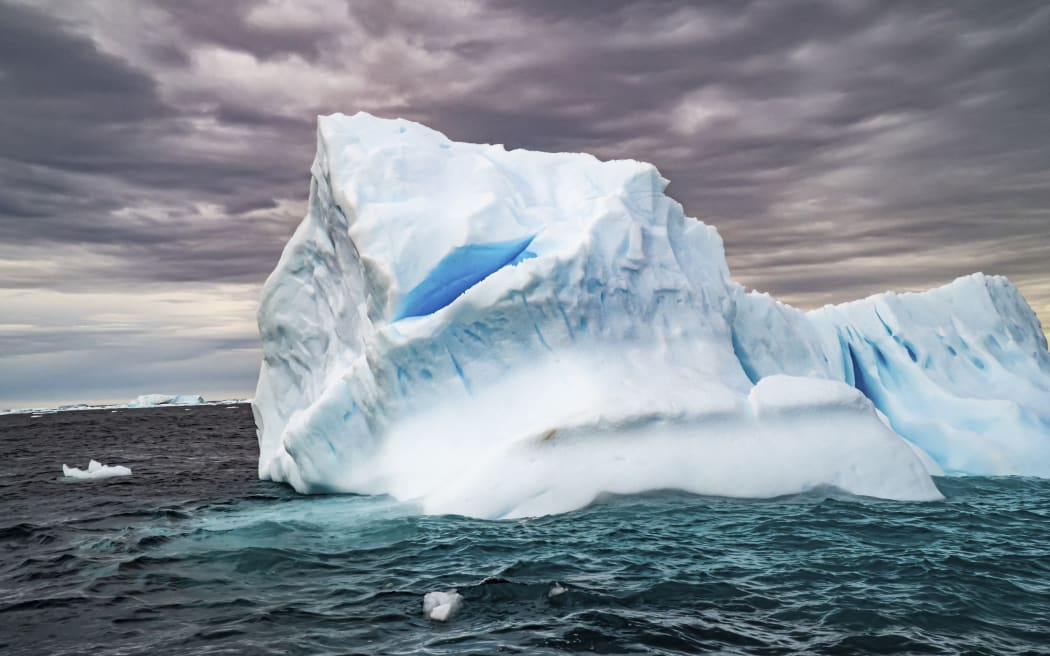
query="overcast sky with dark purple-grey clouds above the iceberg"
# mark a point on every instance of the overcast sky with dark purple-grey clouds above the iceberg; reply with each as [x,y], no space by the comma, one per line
[155,156]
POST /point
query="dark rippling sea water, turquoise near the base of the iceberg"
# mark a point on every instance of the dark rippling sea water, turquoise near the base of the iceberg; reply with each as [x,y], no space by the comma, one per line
[194,556]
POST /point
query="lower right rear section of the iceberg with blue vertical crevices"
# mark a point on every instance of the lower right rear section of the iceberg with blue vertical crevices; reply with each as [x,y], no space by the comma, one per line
[961,371]
